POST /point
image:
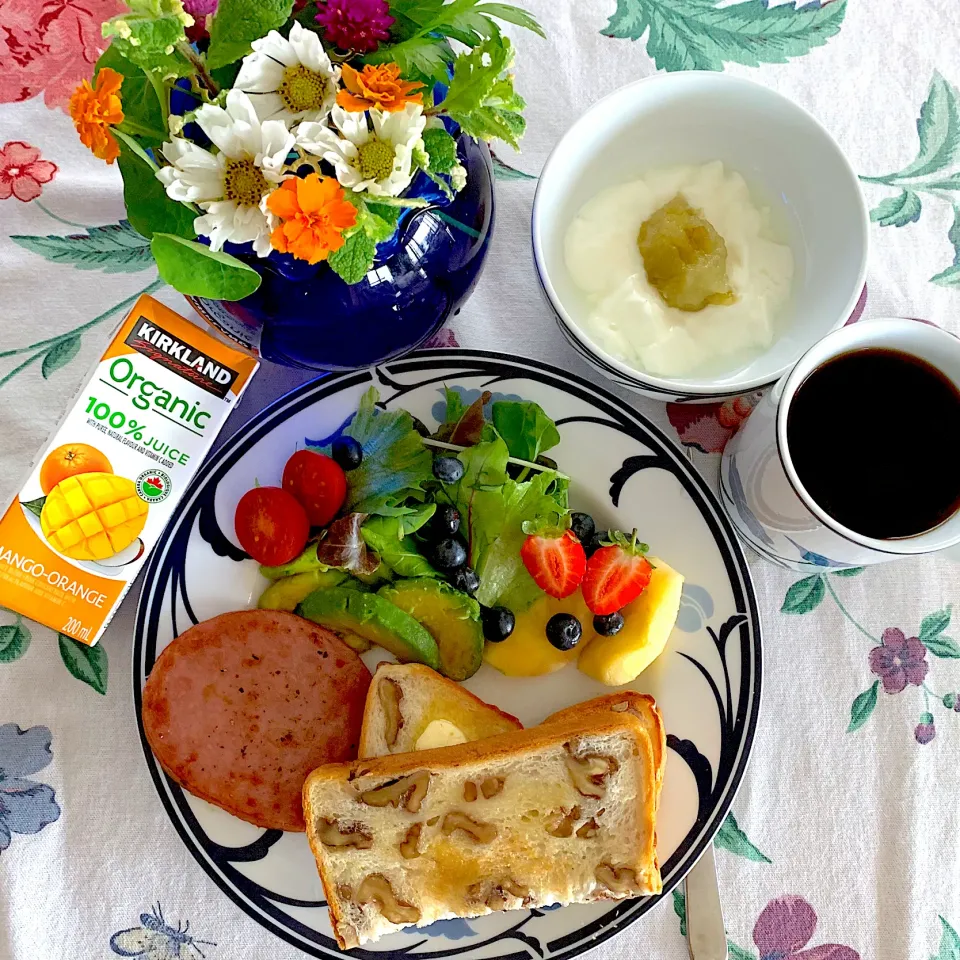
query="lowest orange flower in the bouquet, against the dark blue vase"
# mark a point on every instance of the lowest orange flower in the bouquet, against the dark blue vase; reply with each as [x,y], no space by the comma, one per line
[314,216]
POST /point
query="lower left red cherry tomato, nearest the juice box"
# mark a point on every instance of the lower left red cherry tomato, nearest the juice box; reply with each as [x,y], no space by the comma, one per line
[271,526]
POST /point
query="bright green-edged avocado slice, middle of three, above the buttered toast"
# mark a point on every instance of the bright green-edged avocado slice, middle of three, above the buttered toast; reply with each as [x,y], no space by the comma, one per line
[352,613]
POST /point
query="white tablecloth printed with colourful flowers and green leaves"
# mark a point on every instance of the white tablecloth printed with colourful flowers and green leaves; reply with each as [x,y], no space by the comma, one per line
[845,838]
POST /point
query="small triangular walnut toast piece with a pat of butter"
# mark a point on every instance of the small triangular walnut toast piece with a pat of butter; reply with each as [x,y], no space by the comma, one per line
[411,707]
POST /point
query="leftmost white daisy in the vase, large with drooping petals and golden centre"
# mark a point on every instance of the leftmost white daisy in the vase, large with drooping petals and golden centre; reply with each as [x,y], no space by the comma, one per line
[229,185]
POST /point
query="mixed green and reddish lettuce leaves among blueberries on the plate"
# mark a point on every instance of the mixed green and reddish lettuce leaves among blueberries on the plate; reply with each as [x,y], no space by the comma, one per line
[503,493]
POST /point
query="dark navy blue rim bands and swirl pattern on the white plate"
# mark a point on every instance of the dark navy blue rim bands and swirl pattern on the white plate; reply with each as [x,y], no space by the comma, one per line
[738,710]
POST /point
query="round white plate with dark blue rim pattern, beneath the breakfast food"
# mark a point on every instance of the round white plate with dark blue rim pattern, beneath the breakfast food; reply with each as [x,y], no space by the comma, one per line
[625,473]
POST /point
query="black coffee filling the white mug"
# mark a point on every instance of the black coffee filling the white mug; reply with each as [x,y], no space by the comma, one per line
[864,432]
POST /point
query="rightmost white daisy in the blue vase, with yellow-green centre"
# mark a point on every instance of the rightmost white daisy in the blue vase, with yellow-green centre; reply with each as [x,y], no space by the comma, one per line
[377,160]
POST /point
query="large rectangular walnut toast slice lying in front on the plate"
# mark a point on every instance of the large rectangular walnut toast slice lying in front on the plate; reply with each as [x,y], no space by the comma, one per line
[562,813]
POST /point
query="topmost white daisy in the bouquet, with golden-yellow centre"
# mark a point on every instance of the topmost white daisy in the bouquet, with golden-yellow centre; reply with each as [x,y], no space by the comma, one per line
[289,79]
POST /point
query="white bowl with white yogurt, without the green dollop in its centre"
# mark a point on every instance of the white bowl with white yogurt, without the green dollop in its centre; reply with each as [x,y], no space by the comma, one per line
[768,179]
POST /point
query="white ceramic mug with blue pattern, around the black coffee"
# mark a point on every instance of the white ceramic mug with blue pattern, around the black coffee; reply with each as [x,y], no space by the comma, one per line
[759,486]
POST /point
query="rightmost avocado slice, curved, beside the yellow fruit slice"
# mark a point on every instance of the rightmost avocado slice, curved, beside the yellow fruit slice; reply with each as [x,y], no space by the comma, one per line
[451,617]
